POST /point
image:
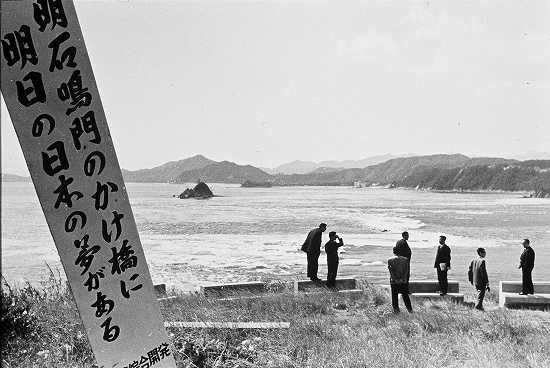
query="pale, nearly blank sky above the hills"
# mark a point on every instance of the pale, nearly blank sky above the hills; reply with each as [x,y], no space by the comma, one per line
[269,82]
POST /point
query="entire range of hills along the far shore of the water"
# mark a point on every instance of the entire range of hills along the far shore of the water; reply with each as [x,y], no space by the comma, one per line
[437,172]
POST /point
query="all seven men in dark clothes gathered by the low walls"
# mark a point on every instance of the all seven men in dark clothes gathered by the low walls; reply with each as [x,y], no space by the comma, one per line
[399,266]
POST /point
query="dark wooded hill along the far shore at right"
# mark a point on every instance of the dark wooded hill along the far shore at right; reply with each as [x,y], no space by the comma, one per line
[438,172]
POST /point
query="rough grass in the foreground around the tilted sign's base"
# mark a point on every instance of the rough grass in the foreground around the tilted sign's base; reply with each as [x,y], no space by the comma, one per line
[41,328]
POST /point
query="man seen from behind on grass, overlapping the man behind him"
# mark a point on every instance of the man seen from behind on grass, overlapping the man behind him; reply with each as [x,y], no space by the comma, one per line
[399,282]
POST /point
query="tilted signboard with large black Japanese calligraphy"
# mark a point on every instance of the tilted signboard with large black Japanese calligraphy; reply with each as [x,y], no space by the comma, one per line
[52,97]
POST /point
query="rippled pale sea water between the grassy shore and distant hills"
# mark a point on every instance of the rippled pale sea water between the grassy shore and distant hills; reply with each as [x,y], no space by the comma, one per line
[247,234]
